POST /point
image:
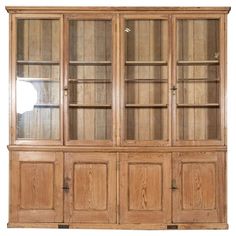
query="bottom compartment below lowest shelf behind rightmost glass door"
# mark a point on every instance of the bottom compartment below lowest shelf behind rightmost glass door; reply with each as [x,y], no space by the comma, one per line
[198,123]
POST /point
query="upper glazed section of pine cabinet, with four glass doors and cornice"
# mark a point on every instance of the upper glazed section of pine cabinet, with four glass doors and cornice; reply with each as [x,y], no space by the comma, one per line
[118,76]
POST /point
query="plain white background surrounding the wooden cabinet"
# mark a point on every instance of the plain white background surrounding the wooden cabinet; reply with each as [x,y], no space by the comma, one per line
[4,180]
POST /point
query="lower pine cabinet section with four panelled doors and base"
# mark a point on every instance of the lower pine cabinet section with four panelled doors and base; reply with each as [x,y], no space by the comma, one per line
[118,190]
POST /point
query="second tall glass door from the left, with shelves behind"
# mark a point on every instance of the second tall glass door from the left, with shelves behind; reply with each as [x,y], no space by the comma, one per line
[90,81]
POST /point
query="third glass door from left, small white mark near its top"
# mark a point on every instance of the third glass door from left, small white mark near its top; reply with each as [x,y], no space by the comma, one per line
[145,80]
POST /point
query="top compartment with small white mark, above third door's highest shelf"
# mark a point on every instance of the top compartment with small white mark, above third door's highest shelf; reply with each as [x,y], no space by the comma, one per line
[146,40]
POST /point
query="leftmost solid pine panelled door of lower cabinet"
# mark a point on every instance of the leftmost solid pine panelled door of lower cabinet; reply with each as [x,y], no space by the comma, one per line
[36,187]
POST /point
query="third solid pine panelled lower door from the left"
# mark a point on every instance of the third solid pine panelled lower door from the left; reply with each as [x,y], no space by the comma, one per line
[145,194]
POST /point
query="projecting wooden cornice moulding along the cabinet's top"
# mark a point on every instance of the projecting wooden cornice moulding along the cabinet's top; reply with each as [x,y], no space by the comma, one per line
[53,9]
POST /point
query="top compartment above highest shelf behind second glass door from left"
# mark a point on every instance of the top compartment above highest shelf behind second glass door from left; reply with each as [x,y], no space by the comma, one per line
[90,40]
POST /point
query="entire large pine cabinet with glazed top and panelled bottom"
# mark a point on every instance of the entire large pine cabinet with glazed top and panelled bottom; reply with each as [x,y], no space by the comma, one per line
[118,117]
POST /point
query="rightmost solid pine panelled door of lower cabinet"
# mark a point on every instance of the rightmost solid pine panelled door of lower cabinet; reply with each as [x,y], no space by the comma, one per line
[200,187]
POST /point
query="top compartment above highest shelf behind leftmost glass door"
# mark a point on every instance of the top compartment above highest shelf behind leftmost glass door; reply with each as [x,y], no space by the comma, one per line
[38,40]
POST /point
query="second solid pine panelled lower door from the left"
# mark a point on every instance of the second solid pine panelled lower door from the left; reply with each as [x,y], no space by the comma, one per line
[91,181]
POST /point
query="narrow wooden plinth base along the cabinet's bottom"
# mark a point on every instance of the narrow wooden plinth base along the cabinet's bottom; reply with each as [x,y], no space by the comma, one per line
[121,226]
